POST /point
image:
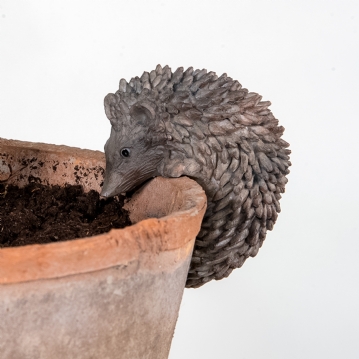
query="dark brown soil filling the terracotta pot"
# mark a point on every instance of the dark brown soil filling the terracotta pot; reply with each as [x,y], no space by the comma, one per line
[39,214]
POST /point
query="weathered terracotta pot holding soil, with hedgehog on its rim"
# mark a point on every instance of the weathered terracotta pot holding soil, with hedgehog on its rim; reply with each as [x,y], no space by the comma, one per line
[115,295]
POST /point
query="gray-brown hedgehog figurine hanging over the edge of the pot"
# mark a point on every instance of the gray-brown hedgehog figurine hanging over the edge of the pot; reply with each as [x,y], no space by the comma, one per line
[209,128]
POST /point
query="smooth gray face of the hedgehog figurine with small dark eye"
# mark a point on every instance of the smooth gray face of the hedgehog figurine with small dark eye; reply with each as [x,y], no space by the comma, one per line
[131,155]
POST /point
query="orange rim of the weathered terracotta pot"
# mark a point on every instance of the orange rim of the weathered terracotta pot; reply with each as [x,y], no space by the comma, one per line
[114,248]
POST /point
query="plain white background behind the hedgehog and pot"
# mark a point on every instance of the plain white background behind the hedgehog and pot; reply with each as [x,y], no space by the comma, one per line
[299,298]
